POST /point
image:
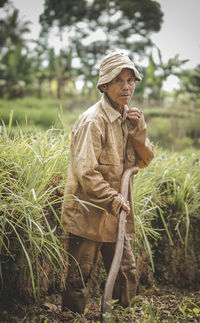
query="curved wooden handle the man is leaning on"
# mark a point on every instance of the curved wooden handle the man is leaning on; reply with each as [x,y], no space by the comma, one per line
[114,269]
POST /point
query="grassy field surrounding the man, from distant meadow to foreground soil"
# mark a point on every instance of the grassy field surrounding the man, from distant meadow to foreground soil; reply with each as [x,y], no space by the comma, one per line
[34,150]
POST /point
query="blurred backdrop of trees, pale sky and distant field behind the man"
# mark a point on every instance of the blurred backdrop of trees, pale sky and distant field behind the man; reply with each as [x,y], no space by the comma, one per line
[50,54]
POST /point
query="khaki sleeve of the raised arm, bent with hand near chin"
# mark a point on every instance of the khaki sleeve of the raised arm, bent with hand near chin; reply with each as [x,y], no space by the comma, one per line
[143,147]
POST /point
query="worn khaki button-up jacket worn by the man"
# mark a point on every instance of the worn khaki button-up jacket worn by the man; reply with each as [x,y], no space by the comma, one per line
[103,145]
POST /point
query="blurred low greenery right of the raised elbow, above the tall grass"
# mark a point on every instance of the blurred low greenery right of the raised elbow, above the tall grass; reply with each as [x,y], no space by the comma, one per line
[173,129]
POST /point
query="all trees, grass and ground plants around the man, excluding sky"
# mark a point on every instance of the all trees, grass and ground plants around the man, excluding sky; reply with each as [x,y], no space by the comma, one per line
[42,92]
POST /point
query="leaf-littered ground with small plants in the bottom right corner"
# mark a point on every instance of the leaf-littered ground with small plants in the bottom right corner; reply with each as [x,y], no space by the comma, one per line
[156,308]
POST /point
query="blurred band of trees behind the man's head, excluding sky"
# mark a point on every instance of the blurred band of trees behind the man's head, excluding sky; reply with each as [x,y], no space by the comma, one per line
[44,71]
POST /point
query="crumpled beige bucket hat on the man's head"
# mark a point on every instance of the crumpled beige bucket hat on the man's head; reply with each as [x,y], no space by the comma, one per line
[112,65]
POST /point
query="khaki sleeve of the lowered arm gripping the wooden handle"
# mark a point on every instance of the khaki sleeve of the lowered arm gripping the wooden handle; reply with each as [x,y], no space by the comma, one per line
[86,151]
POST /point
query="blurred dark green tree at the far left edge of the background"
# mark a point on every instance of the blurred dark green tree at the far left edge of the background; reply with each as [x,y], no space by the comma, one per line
[15,65]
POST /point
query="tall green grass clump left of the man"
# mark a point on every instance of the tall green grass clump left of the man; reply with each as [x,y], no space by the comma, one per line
[32,170]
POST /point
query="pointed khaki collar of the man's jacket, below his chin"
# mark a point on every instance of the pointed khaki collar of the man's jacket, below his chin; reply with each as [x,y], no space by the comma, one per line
[111,112]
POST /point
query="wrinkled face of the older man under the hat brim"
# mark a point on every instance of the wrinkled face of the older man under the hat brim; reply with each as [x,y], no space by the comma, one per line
[121,88]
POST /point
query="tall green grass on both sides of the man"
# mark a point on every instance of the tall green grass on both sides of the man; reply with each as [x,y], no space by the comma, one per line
[33,169]
